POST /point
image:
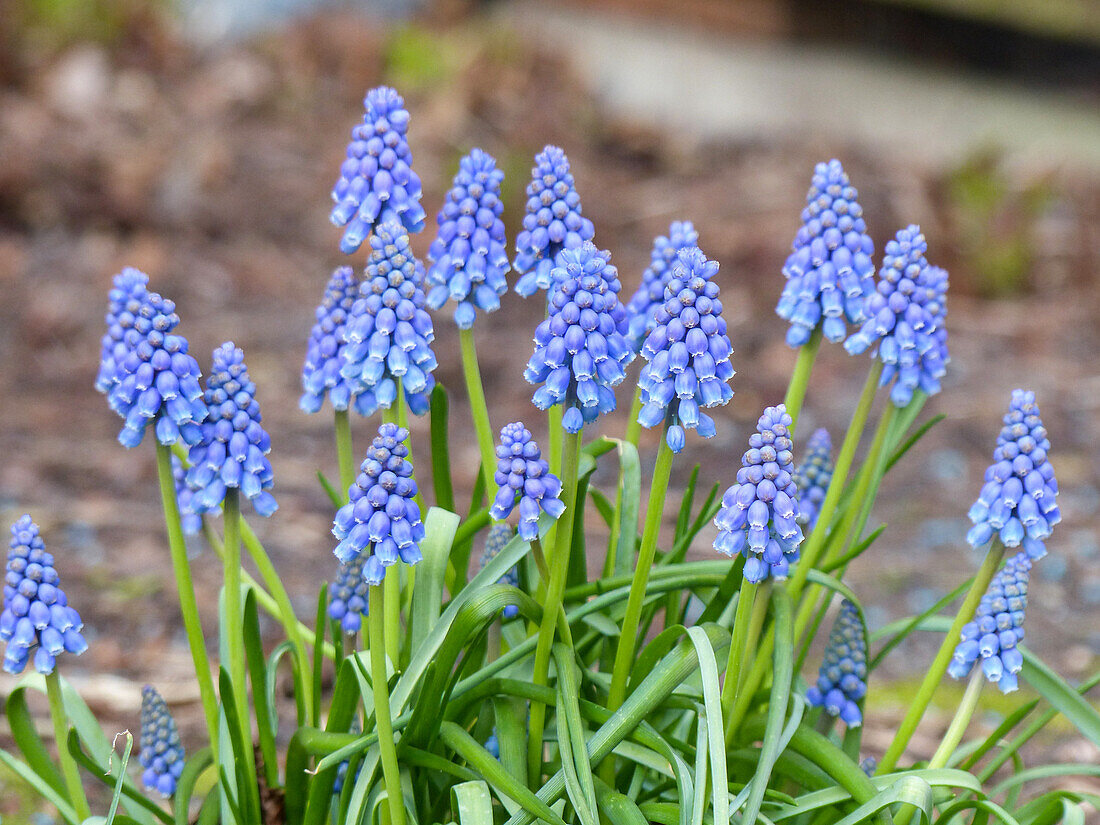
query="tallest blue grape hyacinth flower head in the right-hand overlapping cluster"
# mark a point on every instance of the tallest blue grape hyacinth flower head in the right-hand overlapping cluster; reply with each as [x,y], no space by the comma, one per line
[830,272]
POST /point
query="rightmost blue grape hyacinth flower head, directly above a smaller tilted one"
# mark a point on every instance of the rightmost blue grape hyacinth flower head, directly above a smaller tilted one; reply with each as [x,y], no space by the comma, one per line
[1018,503]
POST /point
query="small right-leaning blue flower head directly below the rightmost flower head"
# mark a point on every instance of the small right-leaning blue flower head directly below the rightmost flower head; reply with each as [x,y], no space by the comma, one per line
[997,629]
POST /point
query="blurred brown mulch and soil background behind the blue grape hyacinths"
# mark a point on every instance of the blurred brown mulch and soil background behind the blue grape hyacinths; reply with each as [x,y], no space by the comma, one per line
[202,150]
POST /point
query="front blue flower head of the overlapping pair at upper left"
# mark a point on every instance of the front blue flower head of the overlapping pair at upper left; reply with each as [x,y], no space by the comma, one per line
[158,380]
